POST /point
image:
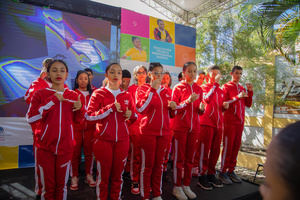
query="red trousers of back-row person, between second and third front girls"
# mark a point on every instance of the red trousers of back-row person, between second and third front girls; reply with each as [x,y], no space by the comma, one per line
[135,158]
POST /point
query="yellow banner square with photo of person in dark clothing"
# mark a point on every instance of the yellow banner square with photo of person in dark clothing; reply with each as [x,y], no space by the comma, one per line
[161,30]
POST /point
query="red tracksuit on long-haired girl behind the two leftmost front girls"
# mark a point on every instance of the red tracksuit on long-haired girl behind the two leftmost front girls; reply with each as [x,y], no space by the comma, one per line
[83,134]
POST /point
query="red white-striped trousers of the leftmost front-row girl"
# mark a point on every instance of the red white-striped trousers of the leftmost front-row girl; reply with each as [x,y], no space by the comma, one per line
[54,173]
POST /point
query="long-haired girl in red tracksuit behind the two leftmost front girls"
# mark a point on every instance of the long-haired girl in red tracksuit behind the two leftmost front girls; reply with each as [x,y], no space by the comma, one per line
[83,134]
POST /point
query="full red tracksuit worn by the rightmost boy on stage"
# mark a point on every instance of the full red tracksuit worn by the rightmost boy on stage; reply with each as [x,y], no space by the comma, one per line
[234,118]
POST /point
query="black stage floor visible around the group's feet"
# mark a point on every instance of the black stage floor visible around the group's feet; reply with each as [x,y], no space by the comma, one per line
[18,184]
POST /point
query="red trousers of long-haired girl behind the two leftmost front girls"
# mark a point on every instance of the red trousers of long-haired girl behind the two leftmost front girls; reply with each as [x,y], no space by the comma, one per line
[83,138]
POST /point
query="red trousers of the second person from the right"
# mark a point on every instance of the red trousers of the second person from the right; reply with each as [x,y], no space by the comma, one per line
[210,142]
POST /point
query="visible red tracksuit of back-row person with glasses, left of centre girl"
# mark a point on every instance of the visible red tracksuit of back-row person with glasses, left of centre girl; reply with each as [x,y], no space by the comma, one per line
[134,156]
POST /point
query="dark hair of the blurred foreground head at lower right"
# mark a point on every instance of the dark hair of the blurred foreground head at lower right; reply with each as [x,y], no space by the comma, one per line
[287,143]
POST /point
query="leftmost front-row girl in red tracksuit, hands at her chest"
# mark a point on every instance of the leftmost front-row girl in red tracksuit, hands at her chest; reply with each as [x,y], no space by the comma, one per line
[55,109]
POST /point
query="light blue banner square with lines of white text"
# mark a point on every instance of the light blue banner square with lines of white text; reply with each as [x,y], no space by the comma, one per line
[162,52]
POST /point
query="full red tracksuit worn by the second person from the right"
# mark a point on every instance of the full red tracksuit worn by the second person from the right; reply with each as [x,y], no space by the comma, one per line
[211,127]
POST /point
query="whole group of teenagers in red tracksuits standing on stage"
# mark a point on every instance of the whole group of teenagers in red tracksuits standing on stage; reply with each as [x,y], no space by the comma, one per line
[136,129]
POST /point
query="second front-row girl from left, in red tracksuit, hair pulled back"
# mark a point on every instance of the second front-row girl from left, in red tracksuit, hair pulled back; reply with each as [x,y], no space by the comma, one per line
[110,108]
